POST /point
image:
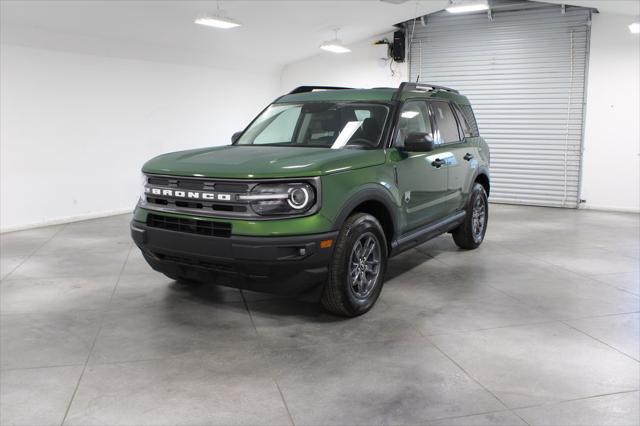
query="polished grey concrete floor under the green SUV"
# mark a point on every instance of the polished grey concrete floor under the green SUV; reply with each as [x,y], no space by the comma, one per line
[539,326]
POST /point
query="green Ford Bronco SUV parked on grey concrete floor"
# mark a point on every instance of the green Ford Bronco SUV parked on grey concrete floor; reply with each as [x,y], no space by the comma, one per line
[315,195]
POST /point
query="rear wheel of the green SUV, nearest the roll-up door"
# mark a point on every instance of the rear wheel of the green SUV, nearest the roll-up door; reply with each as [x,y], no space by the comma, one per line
[470,234]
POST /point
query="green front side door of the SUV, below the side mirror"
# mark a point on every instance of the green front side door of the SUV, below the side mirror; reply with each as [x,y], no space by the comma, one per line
[422,176]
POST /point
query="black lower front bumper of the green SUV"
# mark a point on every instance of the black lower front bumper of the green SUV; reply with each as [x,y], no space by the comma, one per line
[286,265]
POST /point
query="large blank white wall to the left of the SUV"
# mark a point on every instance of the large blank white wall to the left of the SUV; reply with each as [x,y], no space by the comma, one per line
[75,129]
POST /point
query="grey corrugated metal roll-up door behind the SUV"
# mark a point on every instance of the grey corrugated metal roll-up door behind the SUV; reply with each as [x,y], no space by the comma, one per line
[524,72]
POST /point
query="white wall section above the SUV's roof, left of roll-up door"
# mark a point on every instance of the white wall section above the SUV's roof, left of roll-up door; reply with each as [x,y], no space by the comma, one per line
[363,67]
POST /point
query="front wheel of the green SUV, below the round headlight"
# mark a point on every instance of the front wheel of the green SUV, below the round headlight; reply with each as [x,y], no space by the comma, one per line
[357,268]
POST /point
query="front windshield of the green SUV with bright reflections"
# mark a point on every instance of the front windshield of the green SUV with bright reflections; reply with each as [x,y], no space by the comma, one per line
[318,124]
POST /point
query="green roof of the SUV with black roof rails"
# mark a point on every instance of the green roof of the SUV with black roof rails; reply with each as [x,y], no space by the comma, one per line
[378,94]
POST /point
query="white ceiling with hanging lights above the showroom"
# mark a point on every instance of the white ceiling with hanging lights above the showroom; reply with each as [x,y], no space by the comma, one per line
[274,33]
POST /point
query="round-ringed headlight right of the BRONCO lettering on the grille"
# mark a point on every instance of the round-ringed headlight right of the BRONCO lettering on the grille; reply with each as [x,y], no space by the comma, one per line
[281,198]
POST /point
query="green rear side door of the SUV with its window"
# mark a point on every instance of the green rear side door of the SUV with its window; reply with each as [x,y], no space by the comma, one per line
[451,139]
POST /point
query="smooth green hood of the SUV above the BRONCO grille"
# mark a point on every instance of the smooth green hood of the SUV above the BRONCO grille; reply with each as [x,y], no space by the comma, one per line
[245,162]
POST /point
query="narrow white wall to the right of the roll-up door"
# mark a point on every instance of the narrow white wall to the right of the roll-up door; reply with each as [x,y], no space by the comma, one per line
[611,161]
